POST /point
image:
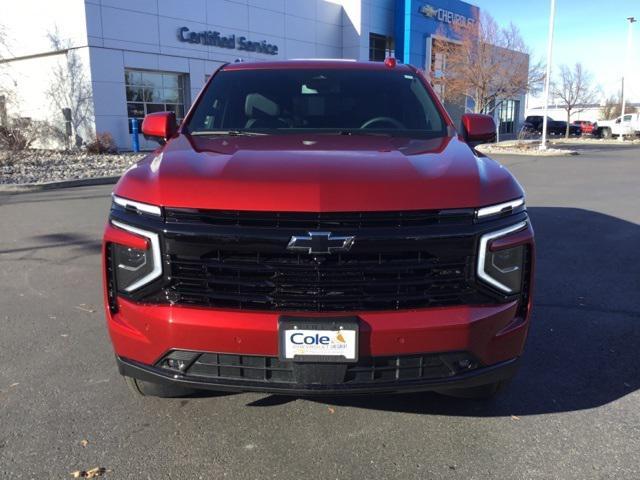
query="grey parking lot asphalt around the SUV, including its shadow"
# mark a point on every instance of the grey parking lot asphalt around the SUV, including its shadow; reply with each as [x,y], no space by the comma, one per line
[573,412]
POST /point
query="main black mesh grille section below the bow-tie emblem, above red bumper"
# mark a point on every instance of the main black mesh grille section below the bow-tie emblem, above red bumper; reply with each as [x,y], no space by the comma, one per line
[226,277]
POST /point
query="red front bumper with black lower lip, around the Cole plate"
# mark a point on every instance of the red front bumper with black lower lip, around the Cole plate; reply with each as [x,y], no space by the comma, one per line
[494,335]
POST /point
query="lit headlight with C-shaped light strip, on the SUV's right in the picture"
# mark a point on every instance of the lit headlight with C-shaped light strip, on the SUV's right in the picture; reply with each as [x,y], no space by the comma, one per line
[502,268]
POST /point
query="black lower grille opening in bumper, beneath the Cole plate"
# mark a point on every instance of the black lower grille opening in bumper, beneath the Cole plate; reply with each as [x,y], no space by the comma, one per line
[367,370]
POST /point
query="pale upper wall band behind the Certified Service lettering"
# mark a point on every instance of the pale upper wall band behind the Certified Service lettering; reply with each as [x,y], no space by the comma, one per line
[308,27]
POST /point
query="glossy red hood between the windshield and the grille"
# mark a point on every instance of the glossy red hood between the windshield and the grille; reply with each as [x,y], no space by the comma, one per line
[317,173]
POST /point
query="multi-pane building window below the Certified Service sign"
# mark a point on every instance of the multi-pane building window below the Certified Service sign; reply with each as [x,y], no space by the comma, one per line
[149,92]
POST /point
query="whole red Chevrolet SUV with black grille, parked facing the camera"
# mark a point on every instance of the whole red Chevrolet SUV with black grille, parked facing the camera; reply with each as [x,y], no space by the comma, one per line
[318,227]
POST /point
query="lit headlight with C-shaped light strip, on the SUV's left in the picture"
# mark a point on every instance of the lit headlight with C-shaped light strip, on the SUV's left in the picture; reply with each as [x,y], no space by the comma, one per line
[133,267]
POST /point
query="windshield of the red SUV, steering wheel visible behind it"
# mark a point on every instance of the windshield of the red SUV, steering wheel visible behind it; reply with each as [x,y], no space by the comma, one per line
[302,100]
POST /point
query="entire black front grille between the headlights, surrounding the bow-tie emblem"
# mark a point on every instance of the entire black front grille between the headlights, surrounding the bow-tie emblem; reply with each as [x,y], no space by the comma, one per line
[399,260]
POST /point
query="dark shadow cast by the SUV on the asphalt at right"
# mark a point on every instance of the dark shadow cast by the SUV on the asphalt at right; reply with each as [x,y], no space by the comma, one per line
[582,350]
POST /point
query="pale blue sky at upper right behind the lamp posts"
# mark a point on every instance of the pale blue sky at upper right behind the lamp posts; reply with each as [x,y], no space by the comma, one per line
[591,32]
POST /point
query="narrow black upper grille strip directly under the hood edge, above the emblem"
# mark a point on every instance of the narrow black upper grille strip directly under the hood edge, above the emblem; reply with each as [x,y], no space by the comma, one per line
[334,221]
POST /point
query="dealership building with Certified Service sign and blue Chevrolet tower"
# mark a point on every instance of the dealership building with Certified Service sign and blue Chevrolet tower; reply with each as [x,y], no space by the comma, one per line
[146,56]
